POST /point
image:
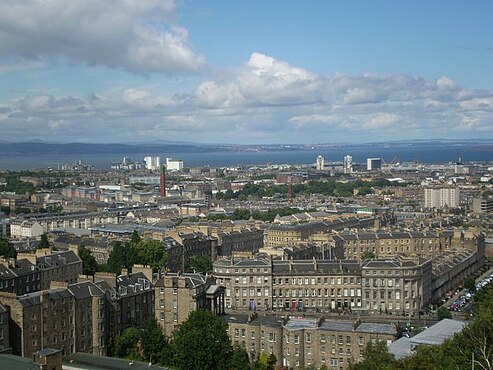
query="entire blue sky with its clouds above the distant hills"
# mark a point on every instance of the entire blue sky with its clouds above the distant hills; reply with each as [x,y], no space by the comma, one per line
[245,72]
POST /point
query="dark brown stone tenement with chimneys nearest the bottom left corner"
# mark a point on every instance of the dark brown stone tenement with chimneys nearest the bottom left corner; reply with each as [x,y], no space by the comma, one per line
[68,318]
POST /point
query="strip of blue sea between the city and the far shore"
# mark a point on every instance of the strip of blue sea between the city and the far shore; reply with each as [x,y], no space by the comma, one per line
[422,153]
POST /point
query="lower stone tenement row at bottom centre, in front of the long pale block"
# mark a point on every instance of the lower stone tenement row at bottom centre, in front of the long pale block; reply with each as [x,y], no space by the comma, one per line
[299,342]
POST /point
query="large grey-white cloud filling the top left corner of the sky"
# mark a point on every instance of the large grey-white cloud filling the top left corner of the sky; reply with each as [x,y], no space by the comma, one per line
[135,35]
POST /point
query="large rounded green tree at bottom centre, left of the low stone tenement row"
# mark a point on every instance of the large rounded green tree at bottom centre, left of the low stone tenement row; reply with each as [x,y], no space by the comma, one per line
[202,342]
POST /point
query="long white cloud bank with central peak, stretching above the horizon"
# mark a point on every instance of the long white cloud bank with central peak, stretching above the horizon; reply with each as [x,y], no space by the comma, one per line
[265,100]
